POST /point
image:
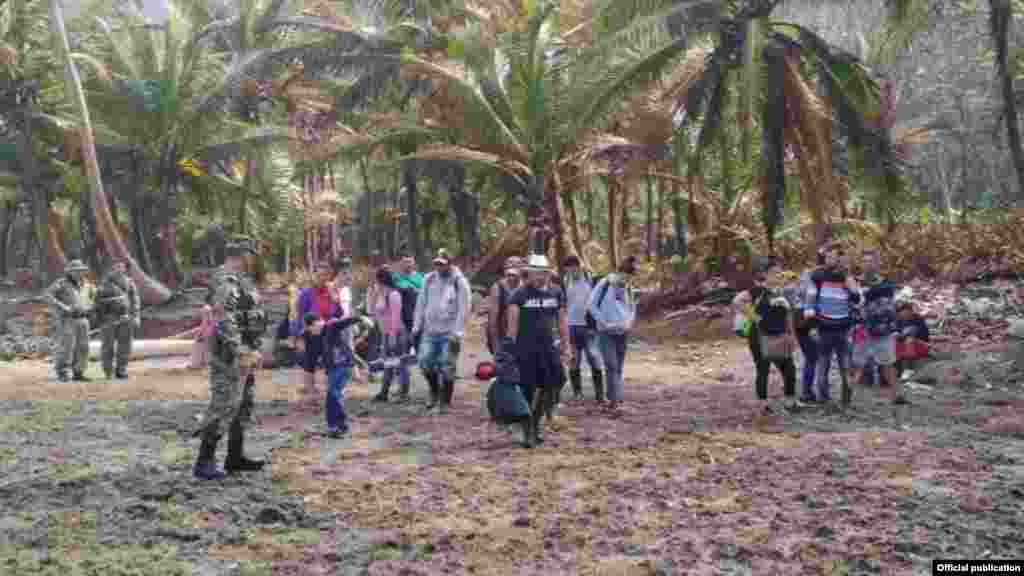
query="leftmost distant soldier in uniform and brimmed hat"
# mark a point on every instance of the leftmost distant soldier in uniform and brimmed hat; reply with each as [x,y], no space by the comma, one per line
[66,296]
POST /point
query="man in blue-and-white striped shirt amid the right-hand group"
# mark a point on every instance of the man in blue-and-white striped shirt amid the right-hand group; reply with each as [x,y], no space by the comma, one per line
[829,302]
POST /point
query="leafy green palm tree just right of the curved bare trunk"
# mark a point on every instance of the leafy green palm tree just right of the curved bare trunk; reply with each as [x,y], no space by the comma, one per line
[170,93]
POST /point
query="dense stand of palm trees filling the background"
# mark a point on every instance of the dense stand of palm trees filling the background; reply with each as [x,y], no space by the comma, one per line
[376,128]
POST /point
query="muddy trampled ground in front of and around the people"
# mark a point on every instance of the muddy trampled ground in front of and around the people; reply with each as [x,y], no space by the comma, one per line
[692,480]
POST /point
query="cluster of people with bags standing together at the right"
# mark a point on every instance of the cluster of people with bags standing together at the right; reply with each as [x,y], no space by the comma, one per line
[829,313]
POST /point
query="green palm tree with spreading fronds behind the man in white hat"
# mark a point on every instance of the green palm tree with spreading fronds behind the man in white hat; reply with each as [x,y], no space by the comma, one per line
[514,96]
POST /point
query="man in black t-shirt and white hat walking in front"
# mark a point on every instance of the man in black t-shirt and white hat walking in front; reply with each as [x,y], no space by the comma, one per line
[535,312]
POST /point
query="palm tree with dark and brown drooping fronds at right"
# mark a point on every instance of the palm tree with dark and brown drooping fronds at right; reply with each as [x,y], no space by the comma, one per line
[819,103]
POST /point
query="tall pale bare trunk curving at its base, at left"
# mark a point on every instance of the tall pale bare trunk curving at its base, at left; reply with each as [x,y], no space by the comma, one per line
[152,293]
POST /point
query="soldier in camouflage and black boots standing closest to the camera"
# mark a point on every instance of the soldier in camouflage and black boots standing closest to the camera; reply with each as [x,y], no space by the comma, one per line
[234,357]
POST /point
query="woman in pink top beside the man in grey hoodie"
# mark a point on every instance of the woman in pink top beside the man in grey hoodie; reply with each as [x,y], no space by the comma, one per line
[386,308]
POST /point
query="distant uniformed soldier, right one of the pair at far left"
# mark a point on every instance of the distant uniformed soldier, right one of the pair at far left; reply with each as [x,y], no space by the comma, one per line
[118,305]
